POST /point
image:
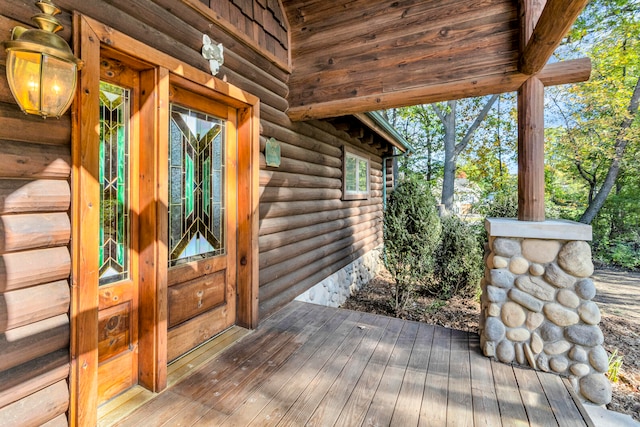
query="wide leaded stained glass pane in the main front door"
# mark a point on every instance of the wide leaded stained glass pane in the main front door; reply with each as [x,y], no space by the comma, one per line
[196,183]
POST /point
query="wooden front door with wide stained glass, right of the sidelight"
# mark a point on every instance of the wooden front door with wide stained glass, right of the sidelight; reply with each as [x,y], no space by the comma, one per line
[202,219]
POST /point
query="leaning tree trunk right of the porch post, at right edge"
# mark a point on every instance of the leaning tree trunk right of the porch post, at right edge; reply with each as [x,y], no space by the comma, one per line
[620,147]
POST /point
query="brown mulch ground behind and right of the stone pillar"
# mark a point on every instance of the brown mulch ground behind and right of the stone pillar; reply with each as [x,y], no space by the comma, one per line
[462,313]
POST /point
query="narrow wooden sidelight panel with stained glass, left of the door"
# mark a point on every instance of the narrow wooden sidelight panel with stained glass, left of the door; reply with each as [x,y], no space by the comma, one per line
[118,195]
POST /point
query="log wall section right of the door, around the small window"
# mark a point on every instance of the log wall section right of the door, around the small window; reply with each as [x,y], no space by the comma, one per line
[306,231]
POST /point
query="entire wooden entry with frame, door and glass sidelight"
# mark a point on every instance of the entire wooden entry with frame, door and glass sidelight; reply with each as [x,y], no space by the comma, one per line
[165,161]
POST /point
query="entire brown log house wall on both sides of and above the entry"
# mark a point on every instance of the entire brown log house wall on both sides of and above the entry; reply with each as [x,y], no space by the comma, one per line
[306,231]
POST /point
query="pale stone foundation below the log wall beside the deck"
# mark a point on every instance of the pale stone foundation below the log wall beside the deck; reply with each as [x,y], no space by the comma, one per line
[335,289]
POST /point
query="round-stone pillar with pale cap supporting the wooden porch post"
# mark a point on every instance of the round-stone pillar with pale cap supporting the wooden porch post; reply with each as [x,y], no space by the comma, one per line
[537,307]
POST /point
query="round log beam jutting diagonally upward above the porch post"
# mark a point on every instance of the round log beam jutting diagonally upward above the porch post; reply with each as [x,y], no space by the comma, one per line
[554,23]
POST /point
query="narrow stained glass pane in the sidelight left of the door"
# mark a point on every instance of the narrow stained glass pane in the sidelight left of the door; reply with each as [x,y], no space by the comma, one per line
[114,183]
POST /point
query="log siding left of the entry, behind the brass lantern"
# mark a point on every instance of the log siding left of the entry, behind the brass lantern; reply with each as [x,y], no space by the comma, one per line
[35,229]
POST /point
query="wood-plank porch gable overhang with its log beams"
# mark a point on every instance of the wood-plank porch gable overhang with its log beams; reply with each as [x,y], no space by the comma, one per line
[350,57]
